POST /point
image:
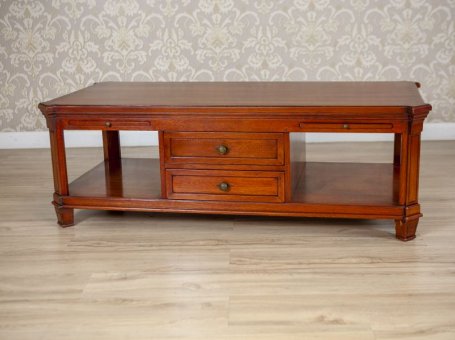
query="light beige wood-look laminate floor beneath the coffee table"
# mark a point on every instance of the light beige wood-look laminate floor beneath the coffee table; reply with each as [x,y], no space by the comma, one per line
[162,276]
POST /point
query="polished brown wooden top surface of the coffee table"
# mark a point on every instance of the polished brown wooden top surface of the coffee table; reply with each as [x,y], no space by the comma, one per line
[243,94]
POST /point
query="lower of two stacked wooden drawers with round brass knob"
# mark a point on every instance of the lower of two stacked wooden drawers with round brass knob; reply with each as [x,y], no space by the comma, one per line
[220,185]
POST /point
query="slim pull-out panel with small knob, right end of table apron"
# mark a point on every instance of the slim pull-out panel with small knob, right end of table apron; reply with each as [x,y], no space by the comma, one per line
[346,127]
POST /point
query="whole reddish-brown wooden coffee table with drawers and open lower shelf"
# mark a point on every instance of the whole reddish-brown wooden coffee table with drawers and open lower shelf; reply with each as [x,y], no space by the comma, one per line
[238,148]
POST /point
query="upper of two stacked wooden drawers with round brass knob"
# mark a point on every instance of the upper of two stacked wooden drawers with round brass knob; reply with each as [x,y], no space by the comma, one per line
[224,148]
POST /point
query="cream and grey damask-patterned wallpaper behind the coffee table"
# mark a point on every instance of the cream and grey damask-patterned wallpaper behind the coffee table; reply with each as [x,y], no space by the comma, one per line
[49,48]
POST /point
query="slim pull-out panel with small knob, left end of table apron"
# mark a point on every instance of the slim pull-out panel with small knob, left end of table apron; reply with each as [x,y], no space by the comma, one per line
[107,124]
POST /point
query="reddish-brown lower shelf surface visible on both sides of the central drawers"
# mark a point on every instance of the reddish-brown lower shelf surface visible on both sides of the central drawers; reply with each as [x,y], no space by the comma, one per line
[324,184]
